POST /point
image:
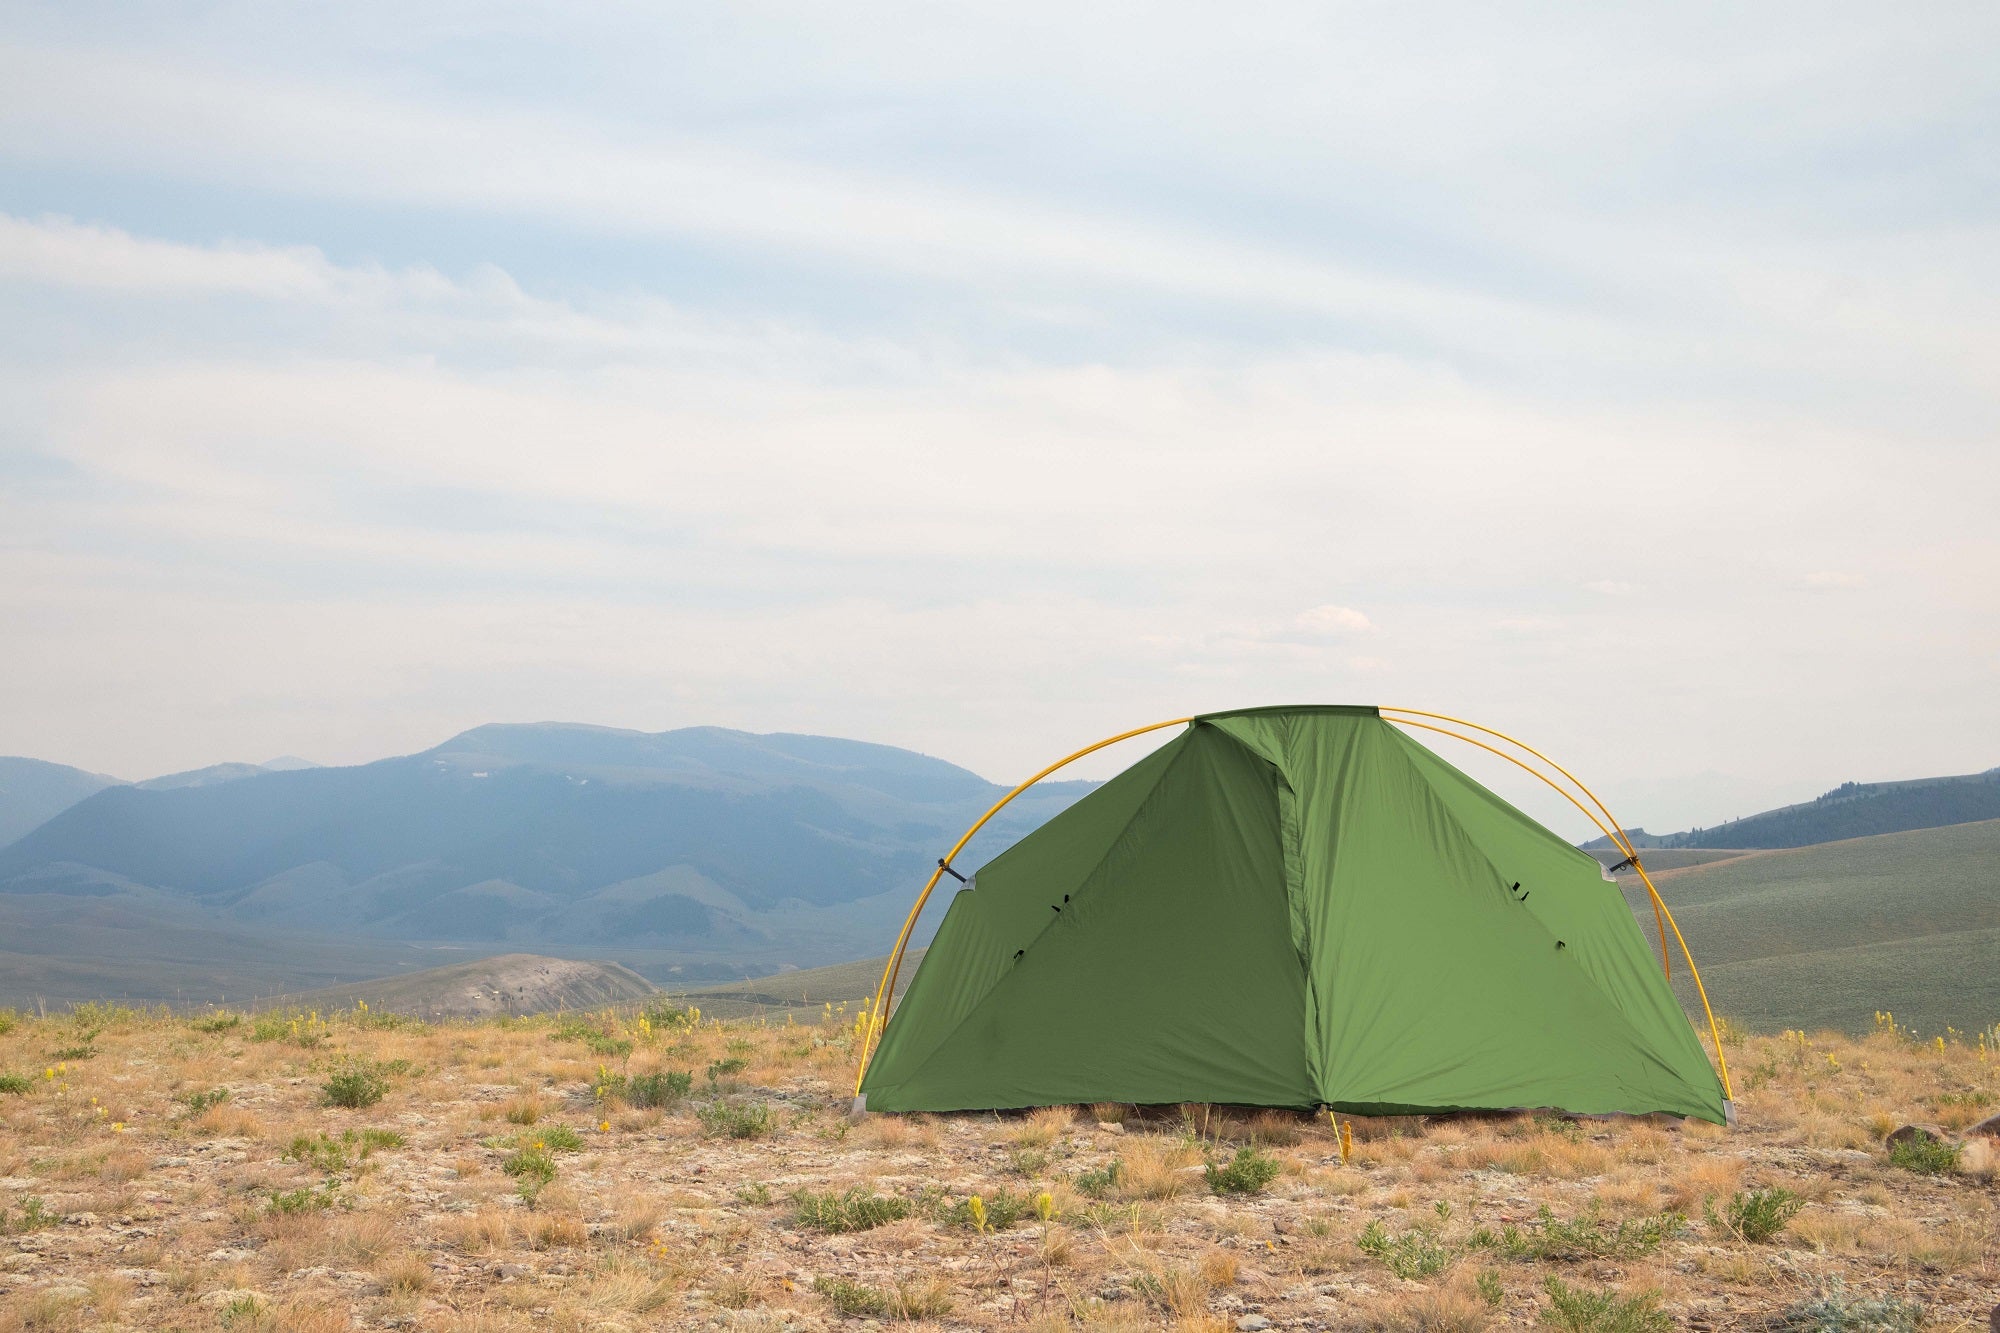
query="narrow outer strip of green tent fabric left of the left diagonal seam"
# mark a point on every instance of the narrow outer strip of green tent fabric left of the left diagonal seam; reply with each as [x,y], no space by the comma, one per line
[1005,908]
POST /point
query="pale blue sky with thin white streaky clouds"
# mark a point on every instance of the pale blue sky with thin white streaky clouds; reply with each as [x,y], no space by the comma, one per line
[991,379]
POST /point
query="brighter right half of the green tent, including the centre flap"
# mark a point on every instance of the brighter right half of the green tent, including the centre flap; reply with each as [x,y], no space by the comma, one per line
[1431,984]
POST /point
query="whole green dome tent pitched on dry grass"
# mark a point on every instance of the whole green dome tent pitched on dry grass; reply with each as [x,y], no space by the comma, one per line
[1291,908]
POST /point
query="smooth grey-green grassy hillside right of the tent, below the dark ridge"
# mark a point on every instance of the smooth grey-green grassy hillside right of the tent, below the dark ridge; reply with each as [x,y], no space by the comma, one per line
[1829,936]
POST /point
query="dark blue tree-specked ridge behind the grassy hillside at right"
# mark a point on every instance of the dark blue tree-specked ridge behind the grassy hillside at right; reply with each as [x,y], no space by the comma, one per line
[1849,812]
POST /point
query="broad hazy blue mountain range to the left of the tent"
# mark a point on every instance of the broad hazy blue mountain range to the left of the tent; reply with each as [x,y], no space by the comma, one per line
[541,836]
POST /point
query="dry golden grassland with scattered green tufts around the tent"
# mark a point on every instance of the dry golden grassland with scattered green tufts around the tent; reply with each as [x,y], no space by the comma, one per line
[667,1172]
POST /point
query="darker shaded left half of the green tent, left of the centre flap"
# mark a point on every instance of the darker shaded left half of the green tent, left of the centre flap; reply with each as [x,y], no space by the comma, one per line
[1171,976]
